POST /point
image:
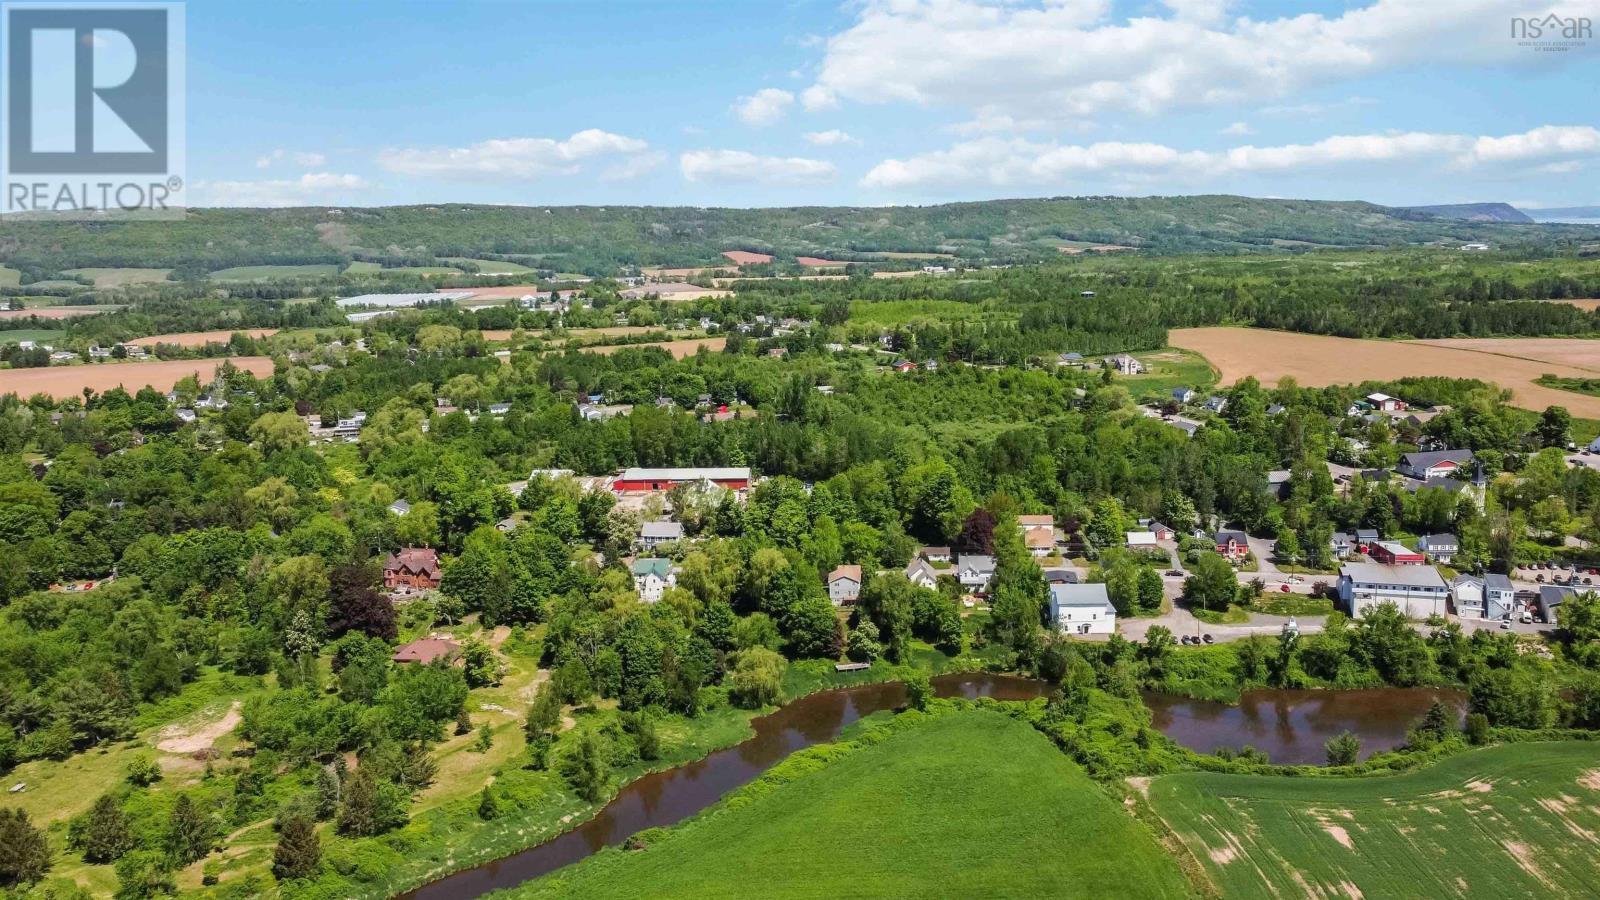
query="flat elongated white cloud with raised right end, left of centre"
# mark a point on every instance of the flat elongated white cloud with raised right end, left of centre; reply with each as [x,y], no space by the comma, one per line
[511,159]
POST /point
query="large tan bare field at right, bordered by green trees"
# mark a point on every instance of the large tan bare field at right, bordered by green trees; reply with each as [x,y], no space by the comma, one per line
[1319,361]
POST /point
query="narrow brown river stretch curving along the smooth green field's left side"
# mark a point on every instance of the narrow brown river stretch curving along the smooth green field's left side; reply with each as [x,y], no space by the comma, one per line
[674,795]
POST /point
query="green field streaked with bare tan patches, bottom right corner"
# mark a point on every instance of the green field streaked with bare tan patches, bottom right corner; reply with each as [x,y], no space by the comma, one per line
[1519,821]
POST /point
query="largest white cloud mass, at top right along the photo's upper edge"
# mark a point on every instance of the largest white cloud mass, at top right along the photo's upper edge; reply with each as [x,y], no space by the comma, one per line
[1076,60]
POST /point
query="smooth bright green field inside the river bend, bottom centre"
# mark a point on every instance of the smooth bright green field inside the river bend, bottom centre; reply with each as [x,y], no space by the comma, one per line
[970,805]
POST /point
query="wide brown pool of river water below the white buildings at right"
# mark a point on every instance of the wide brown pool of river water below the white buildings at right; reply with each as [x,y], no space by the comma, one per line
[1292,726]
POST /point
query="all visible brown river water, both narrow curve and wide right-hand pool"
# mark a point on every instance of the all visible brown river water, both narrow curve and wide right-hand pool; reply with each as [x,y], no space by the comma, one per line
[1289,725]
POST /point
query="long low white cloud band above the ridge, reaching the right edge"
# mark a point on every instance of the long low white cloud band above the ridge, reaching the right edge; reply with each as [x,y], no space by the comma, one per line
[1015,163]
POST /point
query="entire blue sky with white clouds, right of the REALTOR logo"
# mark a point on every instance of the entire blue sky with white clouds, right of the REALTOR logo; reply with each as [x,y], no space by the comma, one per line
[887,102]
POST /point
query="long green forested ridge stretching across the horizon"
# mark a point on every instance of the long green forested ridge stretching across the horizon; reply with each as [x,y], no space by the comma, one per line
[599,239]
